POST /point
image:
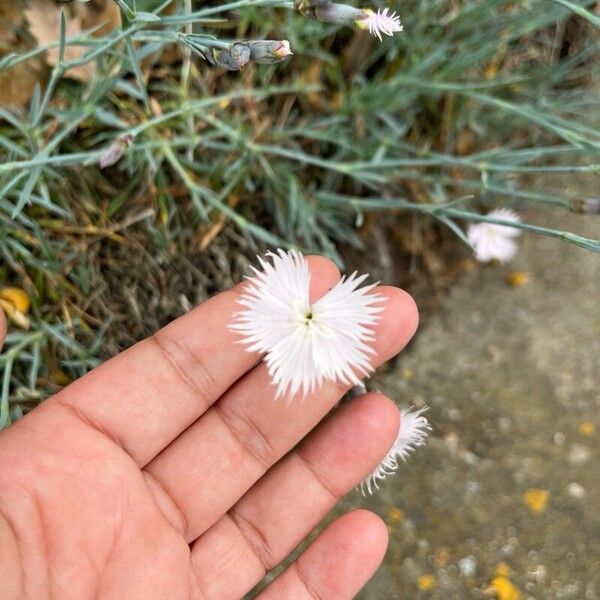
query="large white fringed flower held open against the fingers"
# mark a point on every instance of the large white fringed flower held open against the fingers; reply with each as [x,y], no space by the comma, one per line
[305,344]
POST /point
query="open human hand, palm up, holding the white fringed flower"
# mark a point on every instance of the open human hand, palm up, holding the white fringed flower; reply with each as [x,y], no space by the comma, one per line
[171,472]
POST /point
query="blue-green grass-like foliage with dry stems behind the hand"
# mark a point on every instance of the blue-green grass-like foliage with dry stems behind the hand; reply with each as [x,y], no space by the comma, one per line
[456,114]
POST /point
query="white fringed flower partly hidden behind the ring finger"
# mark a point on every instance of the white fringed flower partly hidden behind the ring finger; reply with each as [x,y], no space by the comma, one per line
[414,428]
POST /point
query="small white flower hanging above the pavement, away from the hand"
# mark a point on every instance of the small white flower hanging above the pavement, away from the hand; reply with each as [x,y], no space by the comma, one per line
[493,241]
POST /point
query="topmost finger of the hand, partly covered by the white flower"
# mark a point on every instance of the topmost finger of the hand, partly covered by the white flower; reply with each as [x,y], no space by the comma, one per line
[146,396]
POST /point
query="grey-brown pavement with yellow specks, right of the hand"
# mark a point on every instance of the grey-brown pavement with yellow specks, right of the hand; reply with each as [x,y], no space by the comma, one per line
[504,501]
